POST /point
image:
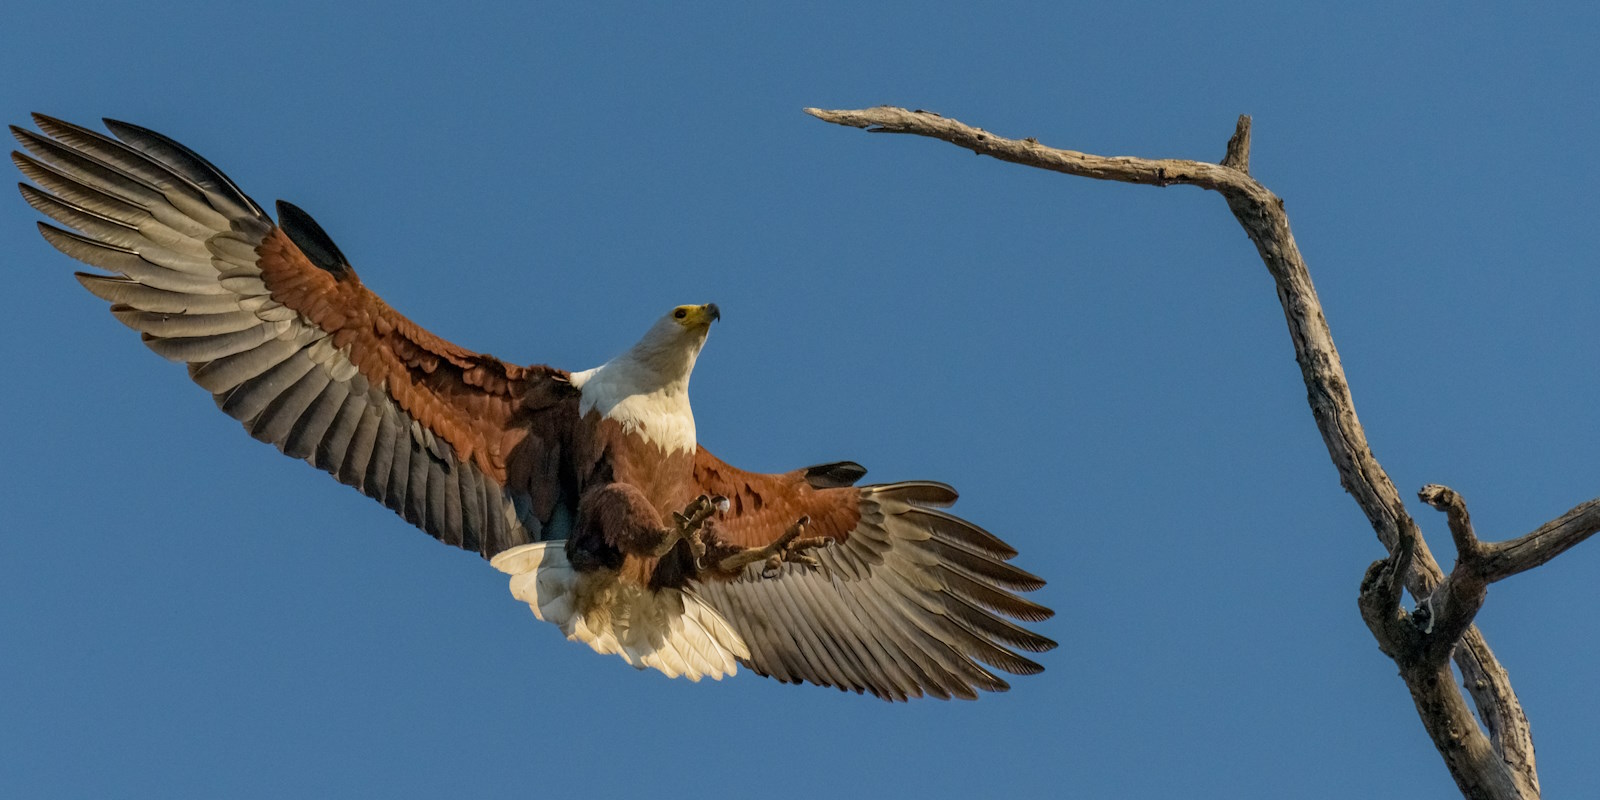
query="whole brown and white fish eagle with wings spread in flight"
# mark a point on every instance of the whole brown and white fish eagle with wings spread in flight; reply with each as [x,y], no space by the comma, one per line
[590,489]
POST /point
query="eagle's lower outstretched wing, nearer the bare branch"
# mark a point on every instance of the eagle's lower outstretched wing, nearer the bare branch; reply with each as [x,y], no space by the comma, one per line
[908,601]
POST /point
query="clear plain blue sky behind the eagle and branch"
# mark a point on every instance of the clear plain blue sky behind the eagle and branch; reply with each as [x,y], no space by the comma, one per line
[1100,369]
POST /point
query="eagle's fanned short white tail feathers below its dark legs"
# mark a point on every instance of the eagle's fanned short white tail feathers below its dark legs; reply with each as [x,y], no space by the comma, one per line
[670,630]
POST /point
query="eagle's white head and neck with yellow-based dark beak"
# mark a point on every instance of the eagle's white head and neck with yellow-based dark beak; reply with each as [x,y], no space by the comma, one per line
[647,390]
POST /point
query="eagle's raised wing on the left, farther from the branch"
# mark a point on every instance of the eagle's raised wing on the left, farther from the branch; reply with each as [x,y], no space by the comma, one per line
[273,321]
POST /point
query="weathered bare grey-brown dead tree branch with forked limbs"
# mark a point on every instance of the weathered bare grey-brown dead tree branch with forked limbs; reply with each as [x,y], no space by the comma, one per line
[1490,762]
